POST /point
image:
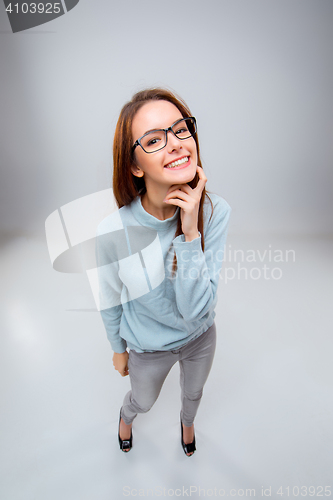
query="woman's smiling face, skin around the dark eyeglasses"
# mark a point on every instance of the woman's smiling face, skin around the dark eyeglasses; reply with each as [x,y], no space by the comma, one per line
[154,166]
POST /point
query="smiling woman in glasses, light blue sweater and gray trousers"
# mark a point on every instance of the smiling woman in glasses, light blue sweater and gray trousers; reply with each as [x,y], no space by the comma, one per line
[160,257]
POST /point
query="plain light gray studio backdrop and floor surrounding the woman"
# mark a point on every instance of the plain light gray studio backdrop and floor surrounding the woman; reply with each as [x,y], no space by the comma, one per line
[257,74]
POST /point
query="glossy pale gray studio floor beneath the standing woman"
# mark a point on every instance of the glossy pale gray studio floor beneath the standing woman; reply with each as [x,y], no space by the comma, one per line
[264,427]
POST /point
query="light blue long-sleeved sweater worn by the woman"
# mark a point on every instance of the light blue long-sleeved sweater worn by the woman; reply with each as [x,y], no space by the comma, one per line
[144,306]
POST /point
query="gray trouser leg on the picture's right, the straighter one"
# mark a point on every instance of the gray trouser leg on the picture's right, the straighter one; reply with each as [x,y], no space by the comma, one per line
[195,364]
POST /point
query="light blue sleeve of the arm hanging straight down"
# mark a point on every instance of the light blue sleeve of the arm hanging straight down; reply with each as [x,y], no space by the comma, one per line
[110,287]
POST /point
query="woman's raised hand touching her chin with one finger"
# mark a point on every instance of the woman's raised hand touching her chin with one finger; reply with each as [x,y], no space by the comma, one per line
[188,200]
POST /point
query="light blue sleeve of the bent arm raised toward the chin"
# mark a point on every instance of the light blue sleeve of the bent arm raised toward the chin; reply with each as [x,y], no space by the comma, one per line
[197,274]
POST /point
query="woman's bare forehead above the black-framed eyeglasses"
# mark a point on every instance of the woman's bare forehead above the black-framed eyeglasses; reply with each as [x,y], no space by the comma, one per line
[154,114]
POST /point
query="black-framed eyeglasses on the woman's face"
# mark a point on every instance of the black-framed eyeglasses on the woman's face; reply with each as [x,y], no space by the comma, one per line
[157,139]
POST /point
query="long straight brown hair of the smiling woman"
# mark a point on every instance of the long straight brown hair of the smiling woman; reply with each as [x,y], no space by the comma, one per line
[126,186]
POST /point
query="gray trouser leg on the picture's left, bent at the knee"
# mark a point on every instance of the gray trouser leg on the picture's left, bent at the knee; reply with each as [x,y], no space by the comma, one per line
[147,372]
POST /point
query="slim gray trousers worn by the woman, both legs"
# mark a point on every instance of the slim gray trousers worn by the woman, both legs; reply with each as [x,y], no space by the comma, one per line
[148,370]
